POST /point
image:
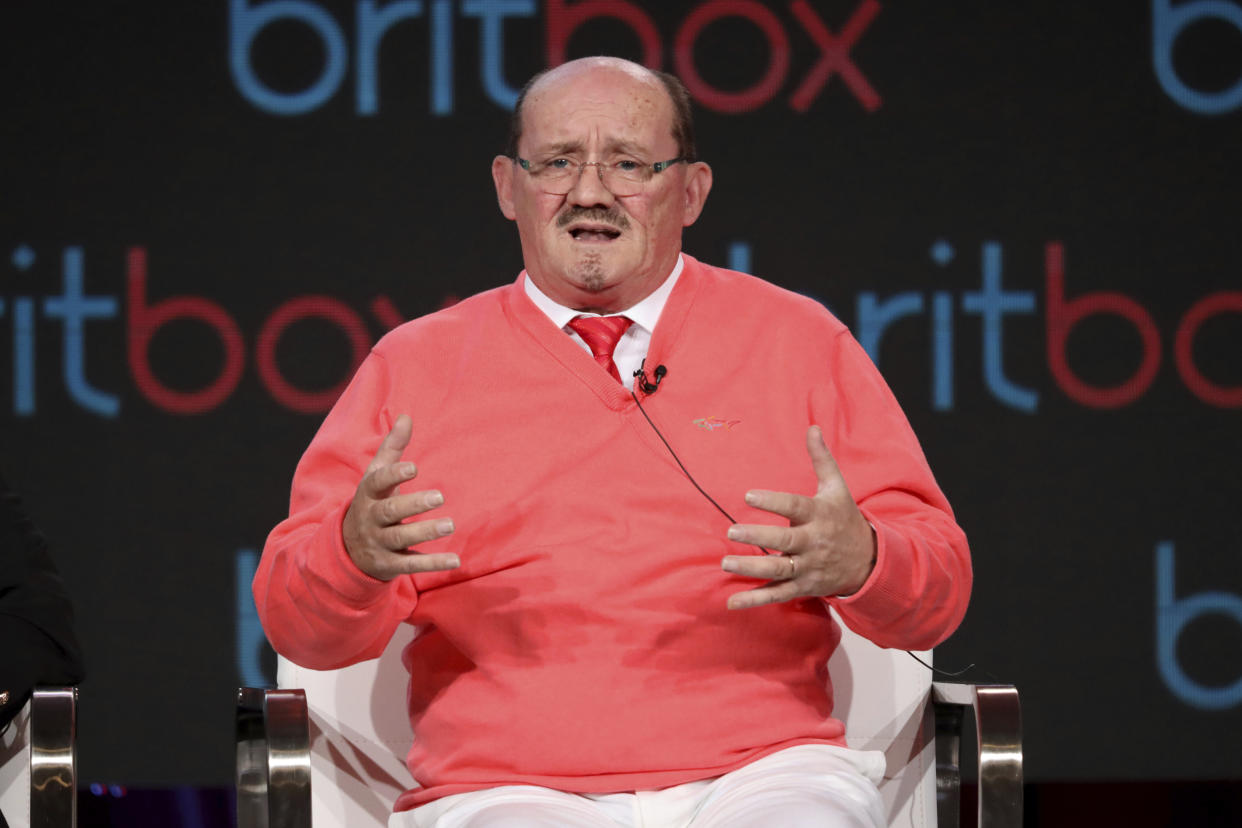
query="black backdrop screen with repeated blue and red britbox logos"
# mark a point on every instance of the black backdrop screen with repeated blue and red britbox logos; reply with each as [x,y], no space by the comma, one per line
[1027,213]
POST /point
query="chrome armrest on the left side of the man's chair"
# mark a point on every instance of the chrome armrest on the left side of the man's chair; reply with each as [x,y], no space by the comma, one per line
[274,759]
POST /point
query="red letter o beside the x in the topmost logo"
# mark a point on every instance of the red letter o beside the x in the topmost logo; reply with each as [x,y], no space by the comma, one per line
[752,97]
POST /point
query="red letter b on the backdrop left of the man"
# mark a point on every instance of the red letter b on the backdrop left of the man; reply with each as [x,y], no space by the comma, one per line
[145,321]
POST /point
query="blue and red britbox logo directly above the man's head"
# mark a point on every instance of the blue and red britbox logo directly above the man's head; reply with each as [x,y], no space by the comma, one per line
[357,45]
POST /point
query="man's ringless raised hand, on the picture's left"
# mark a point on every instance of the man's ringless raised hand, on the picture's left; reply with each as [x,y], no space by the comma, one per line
[376,538]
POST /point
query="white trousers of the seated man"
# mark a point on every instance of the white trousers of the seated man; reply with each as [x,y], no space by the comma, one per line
[808,785]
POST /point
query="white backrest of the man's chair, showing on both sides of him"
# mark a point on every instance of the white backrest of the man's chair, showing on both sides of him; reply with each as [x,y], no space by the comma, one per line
[361,733]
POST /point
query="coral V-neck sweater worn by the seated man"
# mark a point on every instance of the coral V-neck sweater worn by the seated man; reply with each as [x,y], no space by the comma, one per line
[584,642]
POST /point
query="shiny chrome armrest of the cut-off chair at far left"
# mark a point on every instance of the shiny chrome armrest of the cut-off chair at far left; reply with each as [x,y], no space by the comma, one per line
[54,758]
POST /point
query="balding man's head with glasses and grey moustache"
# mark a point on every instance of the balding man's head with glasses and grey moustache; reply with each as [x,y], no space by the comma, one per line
[594,248]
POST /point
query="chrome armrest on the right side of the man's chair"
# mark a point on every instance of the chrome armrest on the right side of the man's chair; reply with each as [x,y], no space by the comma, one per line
[999,729]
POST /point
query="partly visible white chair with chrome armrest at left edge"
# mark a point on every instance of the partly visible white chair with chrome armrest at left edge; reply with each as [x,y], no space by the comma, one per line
[39,763]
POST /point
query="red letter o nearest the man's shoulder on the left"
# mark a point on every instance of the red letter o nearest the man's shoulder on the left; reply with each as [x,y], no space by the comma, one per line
[310,307]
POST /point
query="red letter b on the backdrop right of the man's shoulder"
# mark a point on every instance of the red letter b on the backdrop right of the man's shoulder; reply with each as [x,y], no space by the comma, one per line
[1064,316]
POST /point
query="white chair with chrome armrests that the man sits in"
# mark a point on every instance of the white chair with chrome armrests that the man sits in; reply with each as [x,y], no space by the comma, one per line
[333,749]
